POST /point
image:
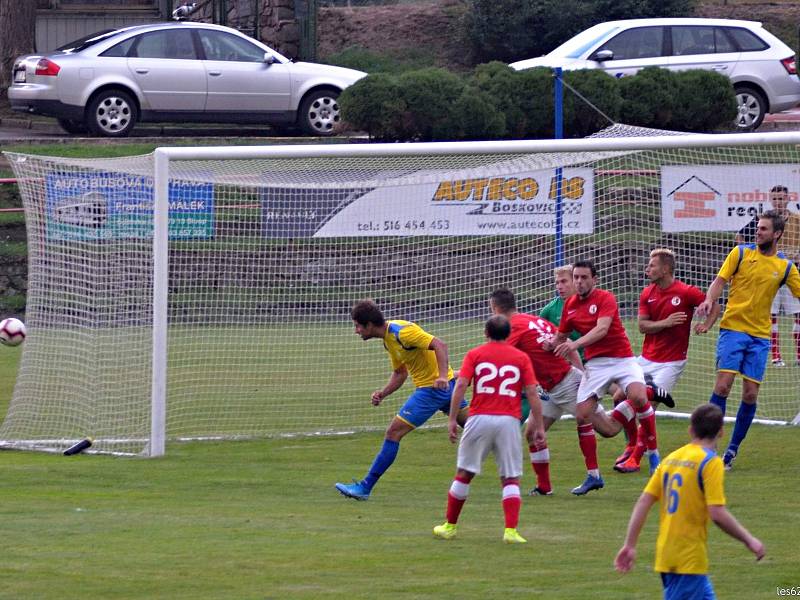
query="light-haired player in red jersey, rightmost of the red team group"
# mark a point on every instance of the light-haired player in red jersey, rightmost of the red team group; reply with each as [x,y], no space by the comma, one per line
[666,307]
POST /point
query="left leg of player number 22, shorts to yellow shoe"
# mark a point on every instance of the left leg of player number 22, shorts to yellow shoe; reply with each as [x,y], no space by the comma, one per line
[474,446]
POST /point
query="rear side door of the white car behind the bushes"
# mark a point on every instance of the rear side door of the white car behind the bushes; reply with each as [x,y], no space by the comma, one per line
[702,47]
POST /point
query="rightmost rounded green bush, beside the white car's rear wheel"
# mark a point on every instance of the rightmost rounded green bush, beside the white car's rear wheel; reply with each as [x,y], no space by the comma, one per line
[704,101]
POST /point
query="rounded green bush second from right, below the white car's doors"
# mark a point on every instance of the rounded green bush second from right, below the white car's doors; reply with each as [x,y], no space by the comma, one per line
[649,98]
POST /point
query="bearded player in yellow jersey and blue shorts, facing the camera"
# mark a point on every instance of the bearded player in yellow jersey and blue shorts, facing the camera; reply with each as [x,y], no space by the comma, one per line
[755,272]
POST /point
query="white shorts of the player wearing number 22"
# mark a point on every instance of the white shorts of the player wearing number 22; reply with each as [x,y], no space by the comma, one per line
[498,434]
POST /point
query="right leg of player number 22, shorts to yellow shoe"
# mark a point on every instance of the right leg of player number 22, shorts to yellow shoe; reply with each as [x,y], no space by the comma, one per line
[508,455]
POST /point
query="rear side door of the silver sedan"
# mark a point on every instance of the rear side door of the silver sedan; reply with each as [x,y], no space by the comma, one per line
[168,71]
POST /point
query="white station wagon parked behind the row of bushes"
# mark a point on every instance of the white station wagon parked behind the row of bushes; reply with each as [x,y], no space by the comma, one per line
[761,67]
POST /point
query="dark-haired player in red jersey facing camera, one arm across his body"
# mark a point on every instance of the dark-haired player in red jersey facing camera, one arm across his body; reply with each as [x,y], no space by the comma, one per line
[594,314]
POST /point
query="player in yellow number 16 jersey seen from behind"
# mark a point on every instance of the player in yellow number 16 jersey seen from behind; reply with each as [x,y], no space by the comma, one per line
[689,486]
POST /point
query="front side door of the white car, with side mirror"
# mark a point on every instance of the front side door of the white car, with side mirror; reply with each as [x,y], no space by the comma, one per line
[632,50]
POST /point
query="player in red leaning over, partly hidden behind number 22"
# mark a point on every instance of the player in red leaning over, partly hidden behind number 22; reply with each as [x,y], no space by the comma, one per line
[534,336]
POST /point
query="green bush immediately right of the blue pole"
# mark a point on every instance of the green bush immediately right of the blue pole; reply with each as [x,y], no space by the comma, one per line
[601,101]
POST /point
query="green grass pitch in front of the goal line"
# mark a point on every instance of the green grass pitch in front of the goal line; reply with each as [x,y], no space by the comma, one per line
[261,519]
